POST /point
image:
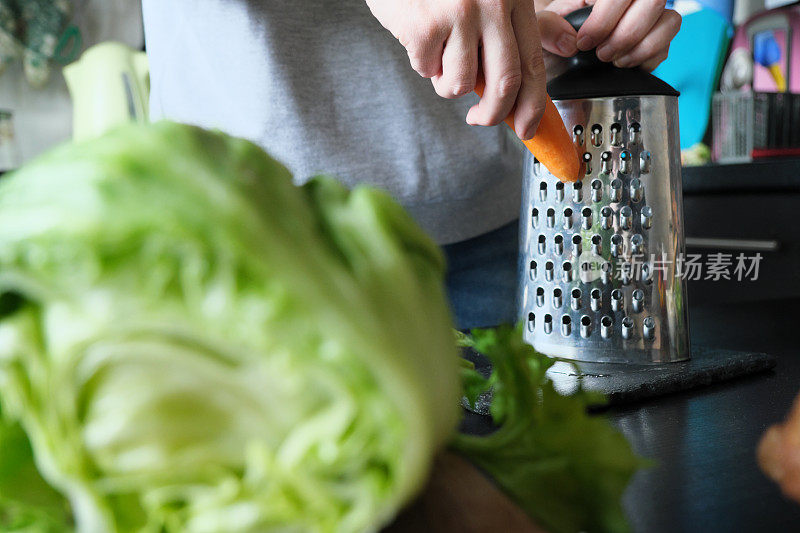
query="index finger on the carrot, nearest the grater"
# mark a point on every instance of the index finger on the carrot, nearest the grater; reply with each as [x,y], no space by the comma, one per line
[532,94]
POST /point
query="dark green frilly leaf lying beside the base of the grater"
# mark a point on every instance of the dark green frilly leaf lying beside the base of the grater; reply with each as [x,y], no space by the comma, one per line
[567,469]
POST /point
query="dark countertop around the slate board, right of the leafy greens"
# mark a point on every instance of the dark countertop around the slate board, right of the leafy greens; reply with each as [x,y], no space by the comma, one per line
[704,441]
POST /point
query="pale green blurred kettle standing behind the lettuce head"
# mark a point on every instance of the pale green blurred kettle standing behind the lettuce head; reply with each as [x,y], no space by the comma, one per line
[109,85]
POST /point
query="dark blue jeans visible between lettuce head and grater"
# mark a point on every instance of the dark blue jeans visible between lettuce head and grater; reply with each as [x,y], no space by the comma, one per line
[482,278]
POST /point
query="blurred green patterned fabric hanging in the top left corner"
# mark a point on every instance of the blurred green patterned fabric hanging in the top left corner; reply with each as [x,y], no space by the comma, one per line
[37,33]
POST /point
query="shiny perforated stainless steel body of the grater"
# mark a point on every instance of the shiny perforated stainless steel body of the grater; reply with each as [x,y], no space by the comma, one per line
[609,242]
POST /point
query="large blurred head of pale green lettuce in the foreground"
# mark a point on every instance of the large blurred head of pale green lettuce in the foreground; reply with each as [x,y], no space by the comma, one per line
[196,344]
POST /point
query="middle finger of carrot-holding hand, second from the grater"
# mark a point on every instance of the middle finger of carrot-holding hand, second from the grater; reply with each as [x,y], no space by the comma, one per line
[501,70]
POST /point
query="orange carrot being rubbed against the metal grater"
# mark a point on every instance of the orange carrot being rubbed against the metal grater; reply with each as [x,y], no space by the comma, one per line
[552,144]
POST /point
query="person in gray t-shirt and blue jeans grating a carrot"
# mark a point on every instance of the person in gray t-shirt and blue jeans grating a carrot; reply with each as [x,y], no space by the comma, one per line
[325,88]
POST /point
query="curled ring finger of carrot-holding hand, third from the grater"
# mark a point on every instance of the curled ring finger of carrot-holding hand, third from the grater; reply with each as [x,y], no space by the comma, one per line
[459,65]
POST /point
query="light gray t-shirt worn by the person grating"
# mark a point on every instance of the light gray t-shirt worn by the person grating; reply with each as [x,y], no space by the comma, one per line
[324,88]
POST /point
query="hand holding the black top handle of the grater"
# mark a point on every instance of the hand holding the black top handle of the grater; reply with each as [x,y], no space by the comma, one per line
[628,33]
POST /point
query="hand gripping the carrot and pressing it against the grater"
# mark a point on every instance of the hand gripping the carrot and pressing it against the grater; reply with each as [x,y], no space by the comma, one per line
[448,40]
